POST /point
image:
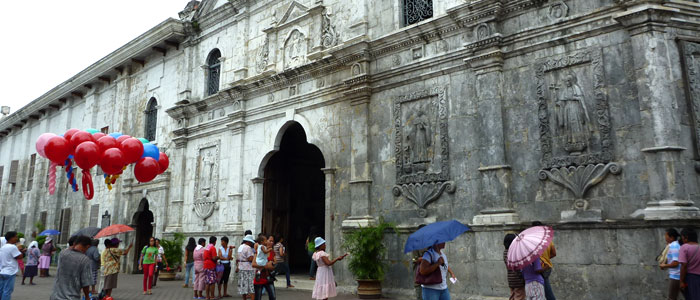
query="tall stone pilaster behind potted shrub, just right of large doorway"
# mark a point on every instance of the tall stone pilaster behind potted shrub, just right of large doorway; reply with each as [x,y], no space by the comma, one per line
[360,177]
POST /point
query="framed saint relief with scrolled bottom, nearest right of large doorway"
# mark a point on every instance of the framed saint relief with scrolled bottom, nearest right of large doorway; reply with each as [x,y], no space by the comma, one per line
[421,147]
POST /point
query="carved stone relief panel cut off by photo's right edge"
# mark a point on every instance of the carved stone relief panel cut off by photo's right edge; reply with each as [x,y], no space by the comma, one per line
[691,67]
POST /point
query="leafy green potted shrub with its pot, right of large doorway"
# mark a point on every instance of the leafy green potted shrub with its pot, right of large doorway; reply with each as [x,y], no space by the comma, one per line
[366,250]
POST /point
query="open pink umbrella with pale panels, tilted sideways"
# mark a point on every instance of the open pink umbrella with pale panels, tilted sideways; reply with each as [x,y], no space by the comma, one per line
[528,246]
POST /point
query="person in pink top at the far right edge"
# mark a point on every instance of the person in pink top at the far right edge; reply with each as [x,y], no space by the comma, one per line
[690,264]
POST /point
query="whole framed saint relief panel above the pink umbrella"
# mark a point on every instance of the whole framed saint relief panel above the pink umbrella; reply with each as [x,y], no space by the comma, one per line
[574,122]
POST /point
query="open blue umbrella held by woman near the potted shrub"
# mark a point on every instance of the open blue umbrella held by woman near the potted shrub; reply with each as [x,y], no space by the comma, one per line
[436,233]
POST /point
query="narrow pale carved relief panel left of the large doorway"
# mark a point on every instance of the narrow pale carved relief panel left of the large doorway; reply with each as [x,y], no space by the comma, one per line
[207,180]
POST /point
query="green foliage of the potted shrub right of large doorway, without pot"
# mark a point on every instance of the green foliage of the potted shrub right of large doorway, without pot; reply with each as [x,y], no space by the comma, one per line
[366,250]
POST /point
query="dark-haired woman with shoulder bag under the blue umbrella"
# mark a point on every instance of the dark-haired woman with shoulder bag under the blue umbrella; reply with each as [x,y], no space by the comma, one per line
[434,286]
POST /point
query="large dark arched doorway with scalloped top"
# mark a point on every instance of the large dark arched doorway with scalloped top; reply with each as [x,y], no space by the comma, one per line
[294,194]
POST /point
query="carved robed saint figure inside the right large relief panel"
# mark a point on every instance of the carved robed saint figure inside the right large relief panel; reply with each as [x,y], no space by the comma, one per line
[572,116]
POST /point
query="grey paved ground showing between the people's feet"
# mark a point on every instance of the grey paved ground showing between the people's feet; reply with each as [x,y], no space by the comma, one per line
[129,287]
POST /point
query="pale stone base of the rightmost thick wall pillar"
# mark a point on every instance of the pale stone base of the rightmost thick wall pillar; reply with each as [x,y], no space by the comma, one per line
[668,210]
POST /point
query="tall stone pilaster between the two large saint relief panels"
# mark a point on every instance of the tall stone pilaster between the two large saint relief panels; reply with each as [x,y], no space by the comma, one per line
[487,64]
